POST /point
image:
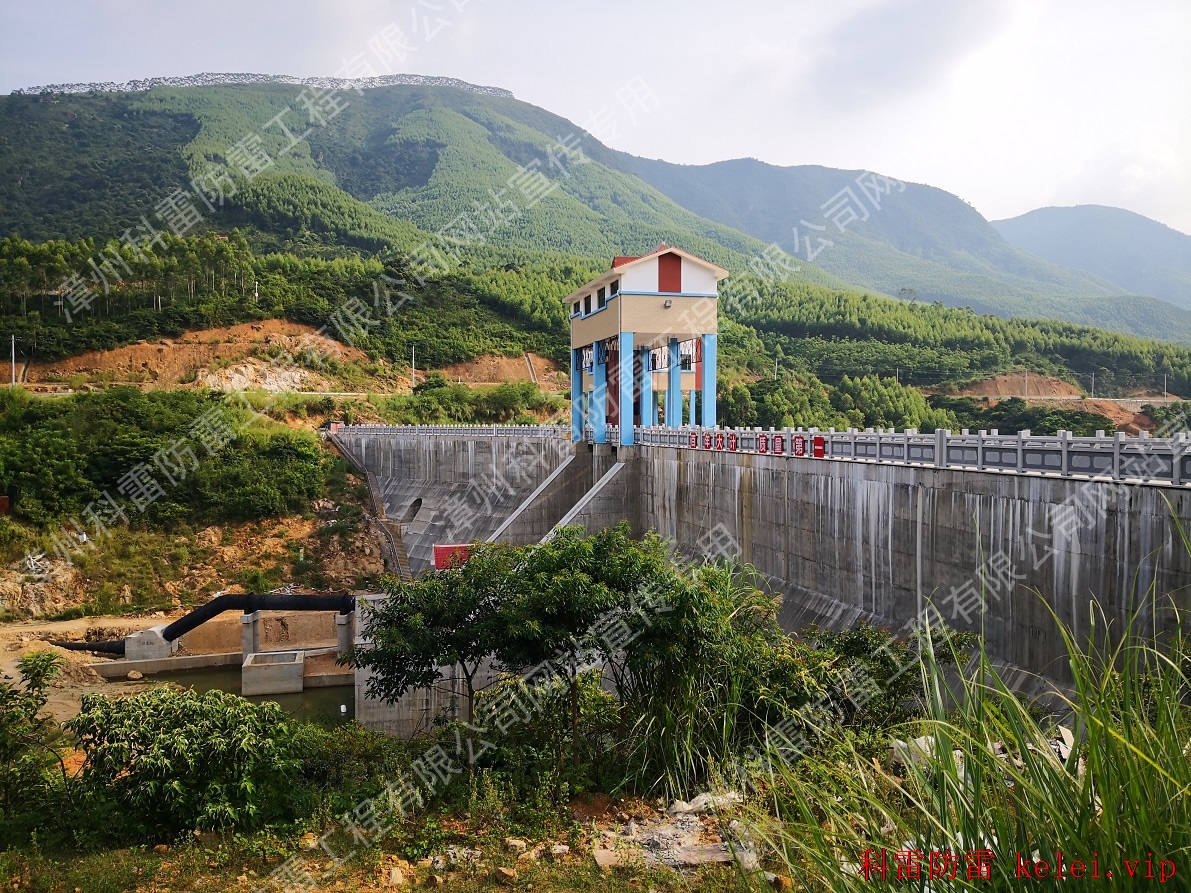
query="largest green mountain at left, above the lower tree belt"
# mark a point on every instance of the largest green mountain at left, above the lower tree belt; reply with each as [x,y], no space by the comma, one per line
[426,159]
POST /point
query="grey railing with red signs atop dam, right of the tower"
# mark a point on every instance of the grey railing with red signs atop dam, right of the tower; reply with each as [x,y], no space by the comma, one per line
[1117,458]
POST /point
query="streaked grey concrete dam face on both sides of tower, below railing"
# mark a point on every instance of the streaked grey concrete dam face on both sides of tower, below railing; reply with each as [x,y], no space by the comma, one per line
[841,541]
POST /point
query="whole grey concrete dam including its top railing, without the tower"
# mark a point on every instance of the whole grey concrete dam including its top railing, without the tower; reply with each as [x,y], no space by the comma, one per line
[872,526]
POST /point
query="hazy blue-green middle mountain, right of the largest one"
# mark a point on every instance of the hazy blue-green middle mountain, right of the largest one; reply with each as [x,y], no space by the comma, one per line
[899,238]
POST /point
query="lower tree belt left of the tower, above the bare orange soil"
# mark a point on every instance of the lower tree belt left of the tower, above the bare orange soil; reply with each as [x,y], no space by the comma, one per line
[210,282]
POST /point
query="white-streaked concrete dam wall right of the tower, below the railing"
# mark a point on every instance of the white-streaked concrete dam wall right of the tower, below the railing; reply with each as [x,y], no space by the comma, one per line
[845,541]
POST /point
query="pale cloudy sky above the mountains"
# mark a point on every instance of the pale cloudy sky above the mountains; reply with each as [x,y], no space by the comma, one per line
[1009,104]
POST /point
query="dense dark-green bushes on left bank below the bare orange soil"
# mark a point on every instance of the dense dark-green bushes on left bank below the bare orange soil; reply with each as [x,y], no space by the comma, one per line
[59,457]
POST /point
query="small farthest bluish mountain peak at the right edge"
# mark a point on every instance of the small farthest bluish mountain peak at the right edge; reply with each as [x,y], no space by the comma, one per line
[1133,252]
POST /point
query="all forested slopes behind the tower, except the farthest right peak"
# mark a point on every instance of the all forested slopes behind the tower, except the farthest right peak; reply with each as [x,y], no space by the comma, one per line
[451,222]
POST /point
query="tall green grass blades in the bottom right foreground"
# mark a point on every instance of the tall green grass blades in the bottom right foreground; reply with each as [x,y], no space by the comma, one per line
[993,778]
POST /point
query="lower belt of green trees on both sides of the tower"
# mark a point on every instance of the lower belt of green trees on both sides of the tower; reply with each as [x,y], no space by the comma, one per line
[383,308]
